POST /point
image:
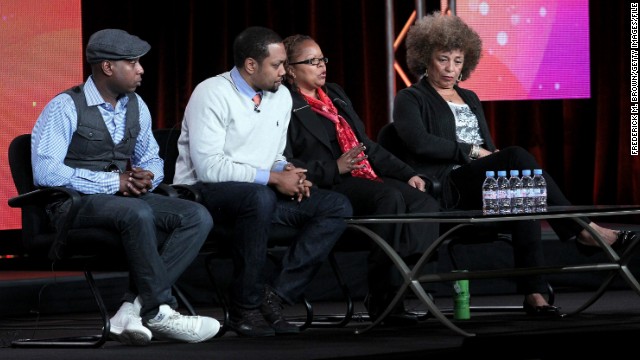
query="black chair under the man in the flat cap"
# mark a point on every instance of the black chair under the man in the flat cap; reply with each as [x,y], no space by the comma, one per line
[69,249]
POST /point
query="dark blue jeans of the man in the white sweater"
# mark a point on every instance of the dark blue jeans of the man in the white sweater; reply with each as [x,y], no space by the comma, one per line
[251,209]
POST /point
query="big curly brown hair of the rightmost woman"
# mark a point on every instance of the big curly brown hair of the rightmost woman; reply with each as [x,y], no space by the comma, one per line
[437,32]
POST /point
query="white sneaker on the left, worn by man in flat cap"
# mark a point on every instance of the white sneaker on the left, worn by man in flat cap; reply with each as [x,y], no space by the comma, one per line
[126,325]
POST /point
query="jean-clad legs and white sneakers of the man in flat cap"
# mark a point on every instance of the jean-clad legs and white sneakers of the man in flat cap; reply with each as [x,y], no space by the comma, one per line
[136,221]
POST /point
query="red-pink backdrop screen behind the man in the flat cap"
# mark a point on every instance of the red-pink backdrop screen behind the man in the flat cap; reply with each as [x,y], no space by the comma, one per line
[41,52]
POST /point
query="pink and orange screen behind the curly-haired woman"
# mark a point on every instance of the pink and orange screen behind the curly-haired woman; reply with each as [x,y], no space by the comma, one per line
[531,49]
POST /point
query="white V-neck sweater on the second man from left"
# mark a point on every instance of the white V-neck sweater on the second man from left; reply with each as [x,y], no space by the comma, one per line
[224,139]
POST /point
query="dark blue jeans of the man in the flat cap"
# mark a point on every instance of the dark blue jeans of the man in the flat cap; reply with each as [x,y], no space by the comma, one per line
[160,235]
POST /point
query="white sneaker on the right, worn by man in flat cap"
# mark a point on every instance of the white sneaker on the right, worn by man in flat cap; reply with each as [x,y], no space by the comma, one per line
[171,325]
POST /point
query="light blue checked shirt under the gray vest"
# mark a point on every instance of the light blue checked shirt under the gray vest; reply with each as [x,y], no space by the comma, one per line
[52,133]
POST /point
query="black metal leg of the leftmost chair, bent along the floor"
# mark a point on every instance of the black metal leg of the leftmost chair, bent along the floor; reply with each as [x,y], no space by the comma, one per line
[89,341]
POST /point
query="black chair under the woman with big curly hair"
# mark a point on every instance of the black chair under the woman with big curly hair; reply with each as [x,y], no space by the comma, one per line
[469,235]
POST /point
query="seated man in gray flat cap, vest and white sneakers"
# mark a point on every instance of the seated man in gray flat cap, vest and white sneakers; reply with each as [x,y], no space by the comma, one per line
[96,138]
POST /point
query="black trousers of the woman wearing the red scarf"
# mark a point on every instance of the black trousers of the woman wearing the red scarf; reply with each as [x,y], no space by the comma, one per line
[391,196]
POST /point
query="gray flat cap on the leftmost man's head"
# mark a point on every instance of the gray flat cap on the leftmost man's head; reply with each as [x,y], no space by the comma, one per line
[115,44]
